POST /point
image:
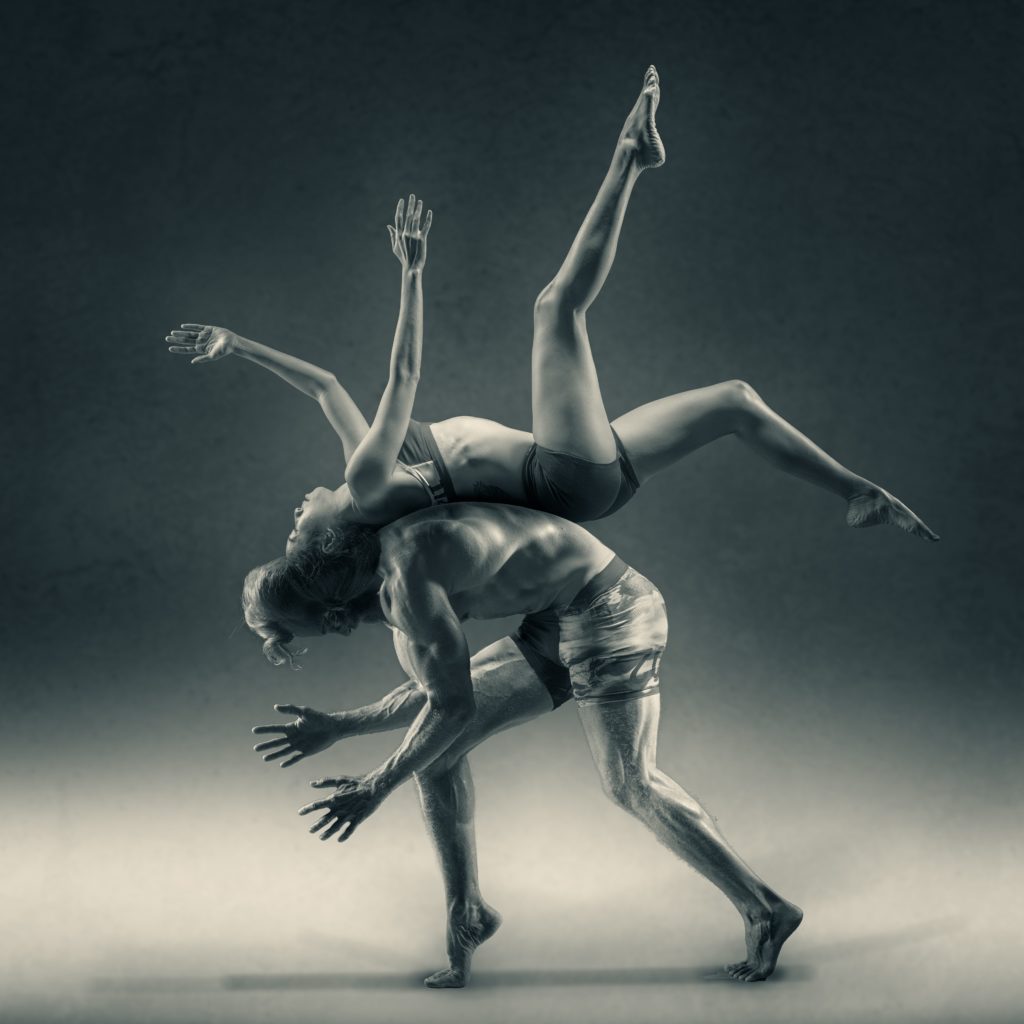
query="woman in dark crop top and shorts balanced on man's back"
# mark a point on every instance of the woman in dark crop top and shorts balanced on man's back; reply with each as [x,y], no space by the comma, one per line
[576,464]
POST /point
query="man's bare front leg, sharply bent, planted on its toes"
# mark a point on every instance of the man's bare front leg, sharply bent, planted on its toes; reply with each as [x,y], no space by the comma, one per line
[507,693]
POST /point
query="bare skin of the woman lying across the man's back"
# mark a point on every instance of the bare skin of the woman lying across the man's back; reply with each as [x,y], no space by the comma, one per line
[486,458]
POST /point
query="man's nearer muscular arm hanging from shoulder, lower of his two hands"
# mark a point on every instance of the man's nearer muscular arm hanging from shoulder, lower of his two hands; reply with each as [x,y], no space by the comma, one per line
[419,608]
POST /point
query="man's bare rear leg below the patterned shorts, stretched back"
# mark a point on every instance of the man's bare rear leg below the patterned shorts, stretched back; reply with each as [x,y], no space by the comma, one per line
[623,738]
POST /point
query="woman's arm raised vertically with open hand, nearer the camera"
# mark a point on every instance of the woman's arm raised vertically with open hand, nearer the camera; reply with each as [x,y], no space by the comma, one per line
[371,466]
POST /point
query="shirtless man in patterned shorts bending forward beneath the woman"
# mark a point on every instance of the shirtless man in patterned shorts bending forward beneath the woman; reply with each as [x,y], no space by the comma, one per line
[586,613]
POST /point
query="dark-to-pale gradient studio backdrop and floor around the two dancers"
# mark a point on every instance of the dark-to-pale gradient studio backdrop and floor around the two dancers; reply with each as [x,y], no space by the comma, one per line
[839,224]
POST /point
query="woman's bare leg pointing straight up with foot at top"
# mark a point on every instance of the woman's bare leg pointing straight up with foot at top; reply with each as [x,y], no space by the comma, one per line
[569,411]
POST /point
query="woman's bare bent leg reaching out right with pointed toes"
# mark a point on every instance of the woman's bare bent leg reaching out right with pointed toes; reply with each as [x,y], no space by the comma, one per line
[662,433]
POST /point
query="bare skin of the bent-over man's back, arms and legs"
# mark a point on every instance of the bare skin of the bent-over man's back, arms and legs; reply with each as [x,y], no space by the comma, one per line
[439,568]
